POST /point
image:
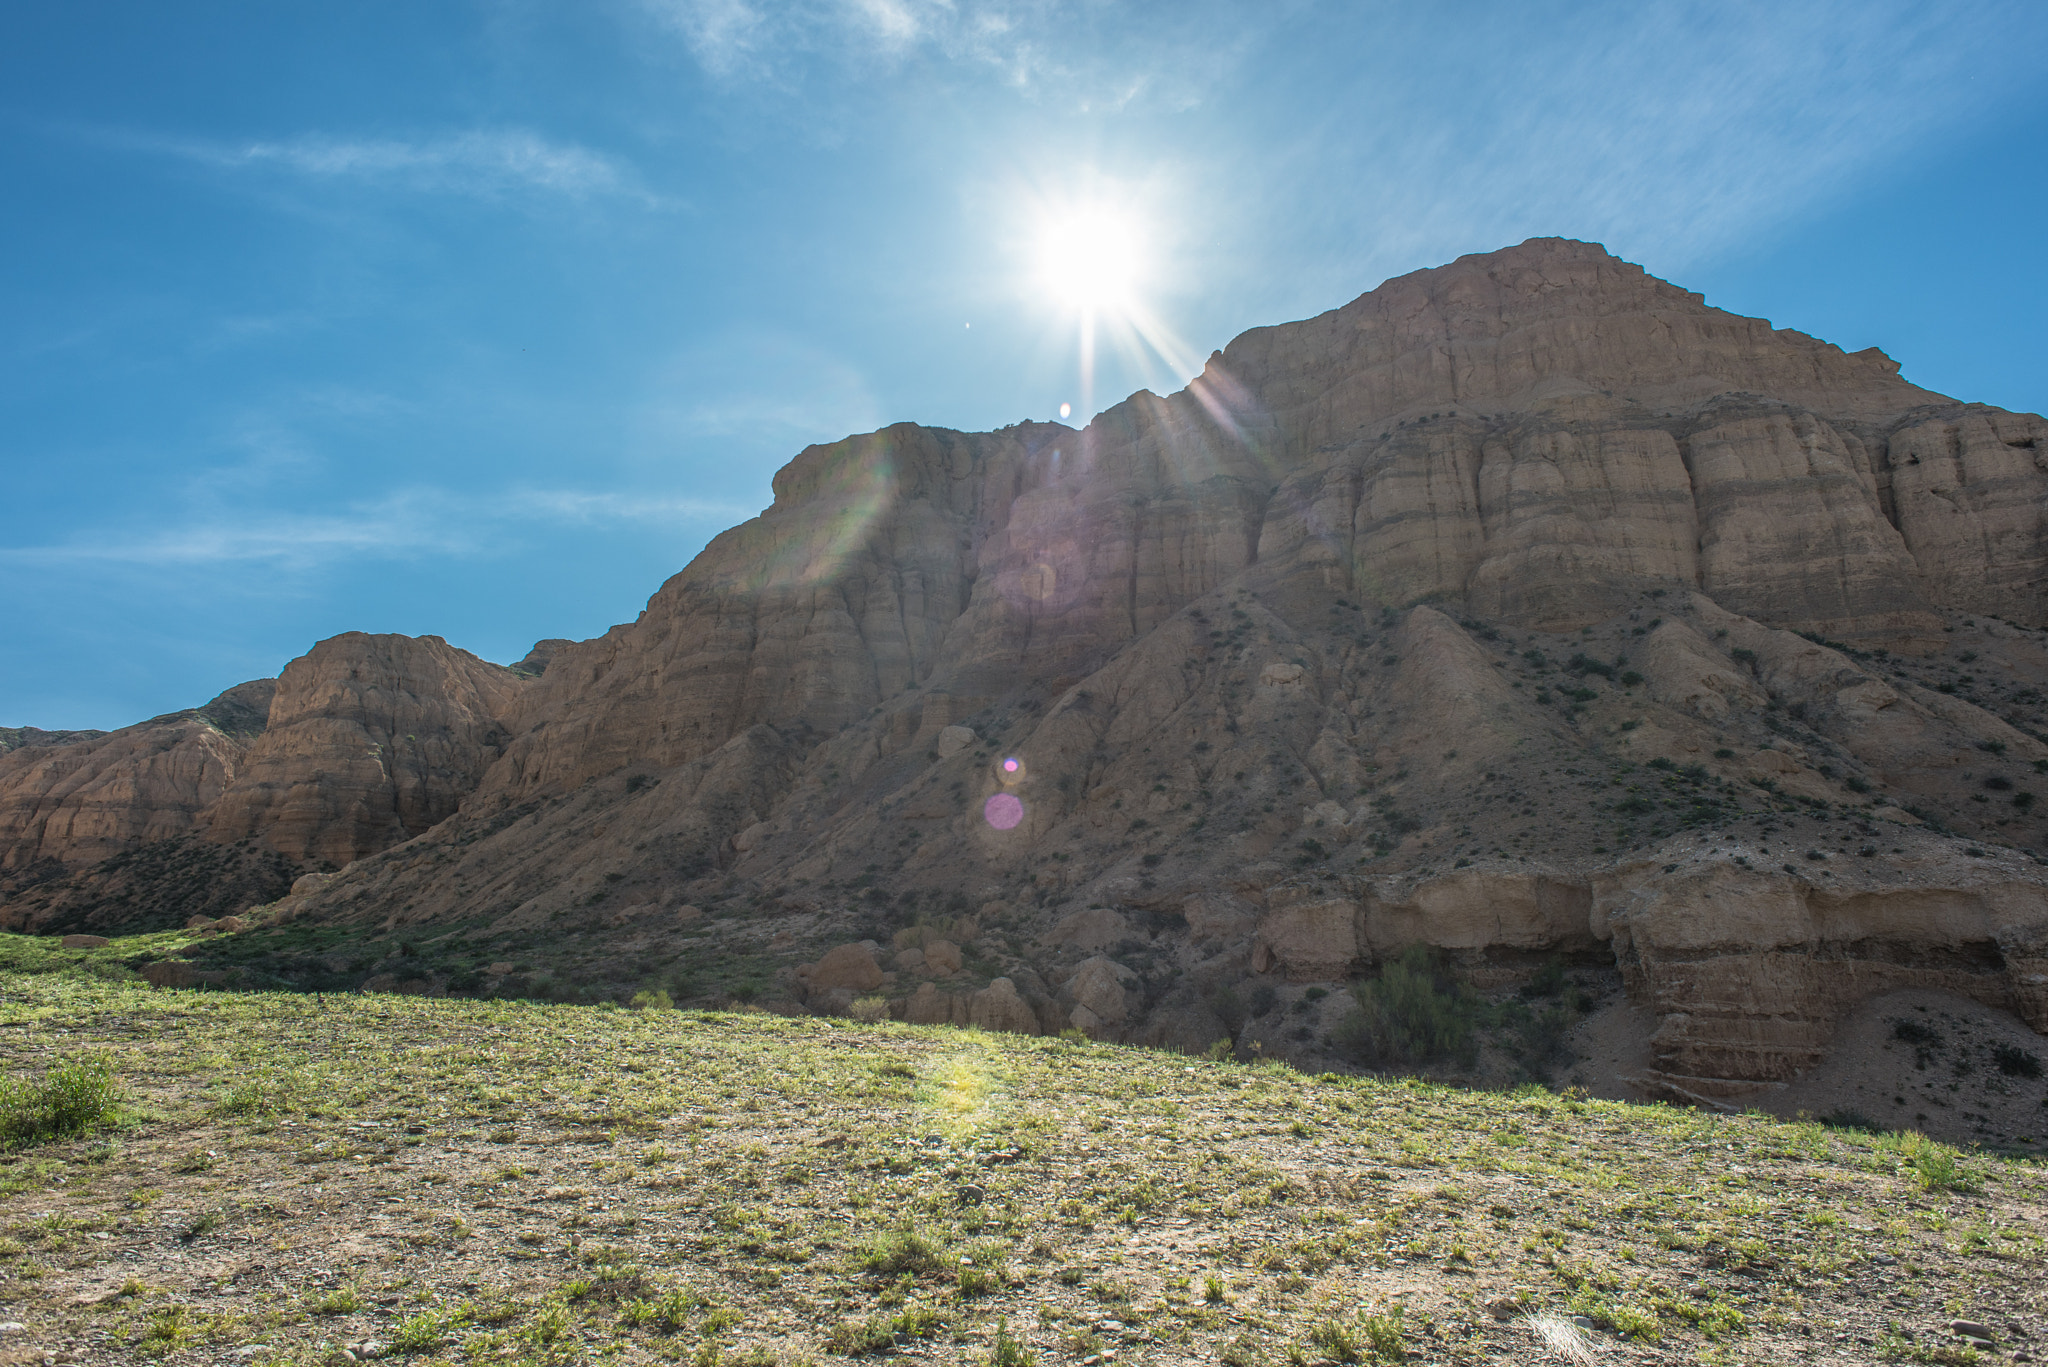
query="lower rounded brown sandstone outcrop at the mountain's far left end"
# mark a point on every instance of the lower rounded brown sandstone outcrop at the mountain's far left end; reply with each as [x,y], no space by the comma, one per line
[364,743]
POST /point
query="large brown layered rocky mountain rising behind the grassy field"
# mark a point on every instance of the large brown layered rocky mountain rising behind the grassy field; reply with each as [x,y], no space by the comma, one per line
[1529,610]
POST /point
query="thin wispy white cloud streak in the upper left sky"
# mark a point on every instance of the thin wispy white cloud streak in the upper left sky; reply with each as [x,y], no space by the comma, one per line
[470,163]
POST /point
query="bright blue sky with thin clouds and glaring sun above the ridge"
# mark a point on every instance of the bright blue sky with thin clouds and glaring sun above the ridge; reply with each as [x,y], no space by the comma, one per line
[480,319]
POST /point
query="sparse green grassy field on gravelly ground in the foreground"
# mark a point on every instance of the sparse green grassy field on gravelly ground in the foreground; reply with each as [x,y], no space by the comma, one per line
[296,1179]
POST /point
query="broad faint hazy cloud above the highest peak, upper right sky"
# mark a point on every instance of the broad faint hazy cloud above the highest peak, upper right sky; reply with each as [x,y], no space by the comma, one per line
[1668,130]
